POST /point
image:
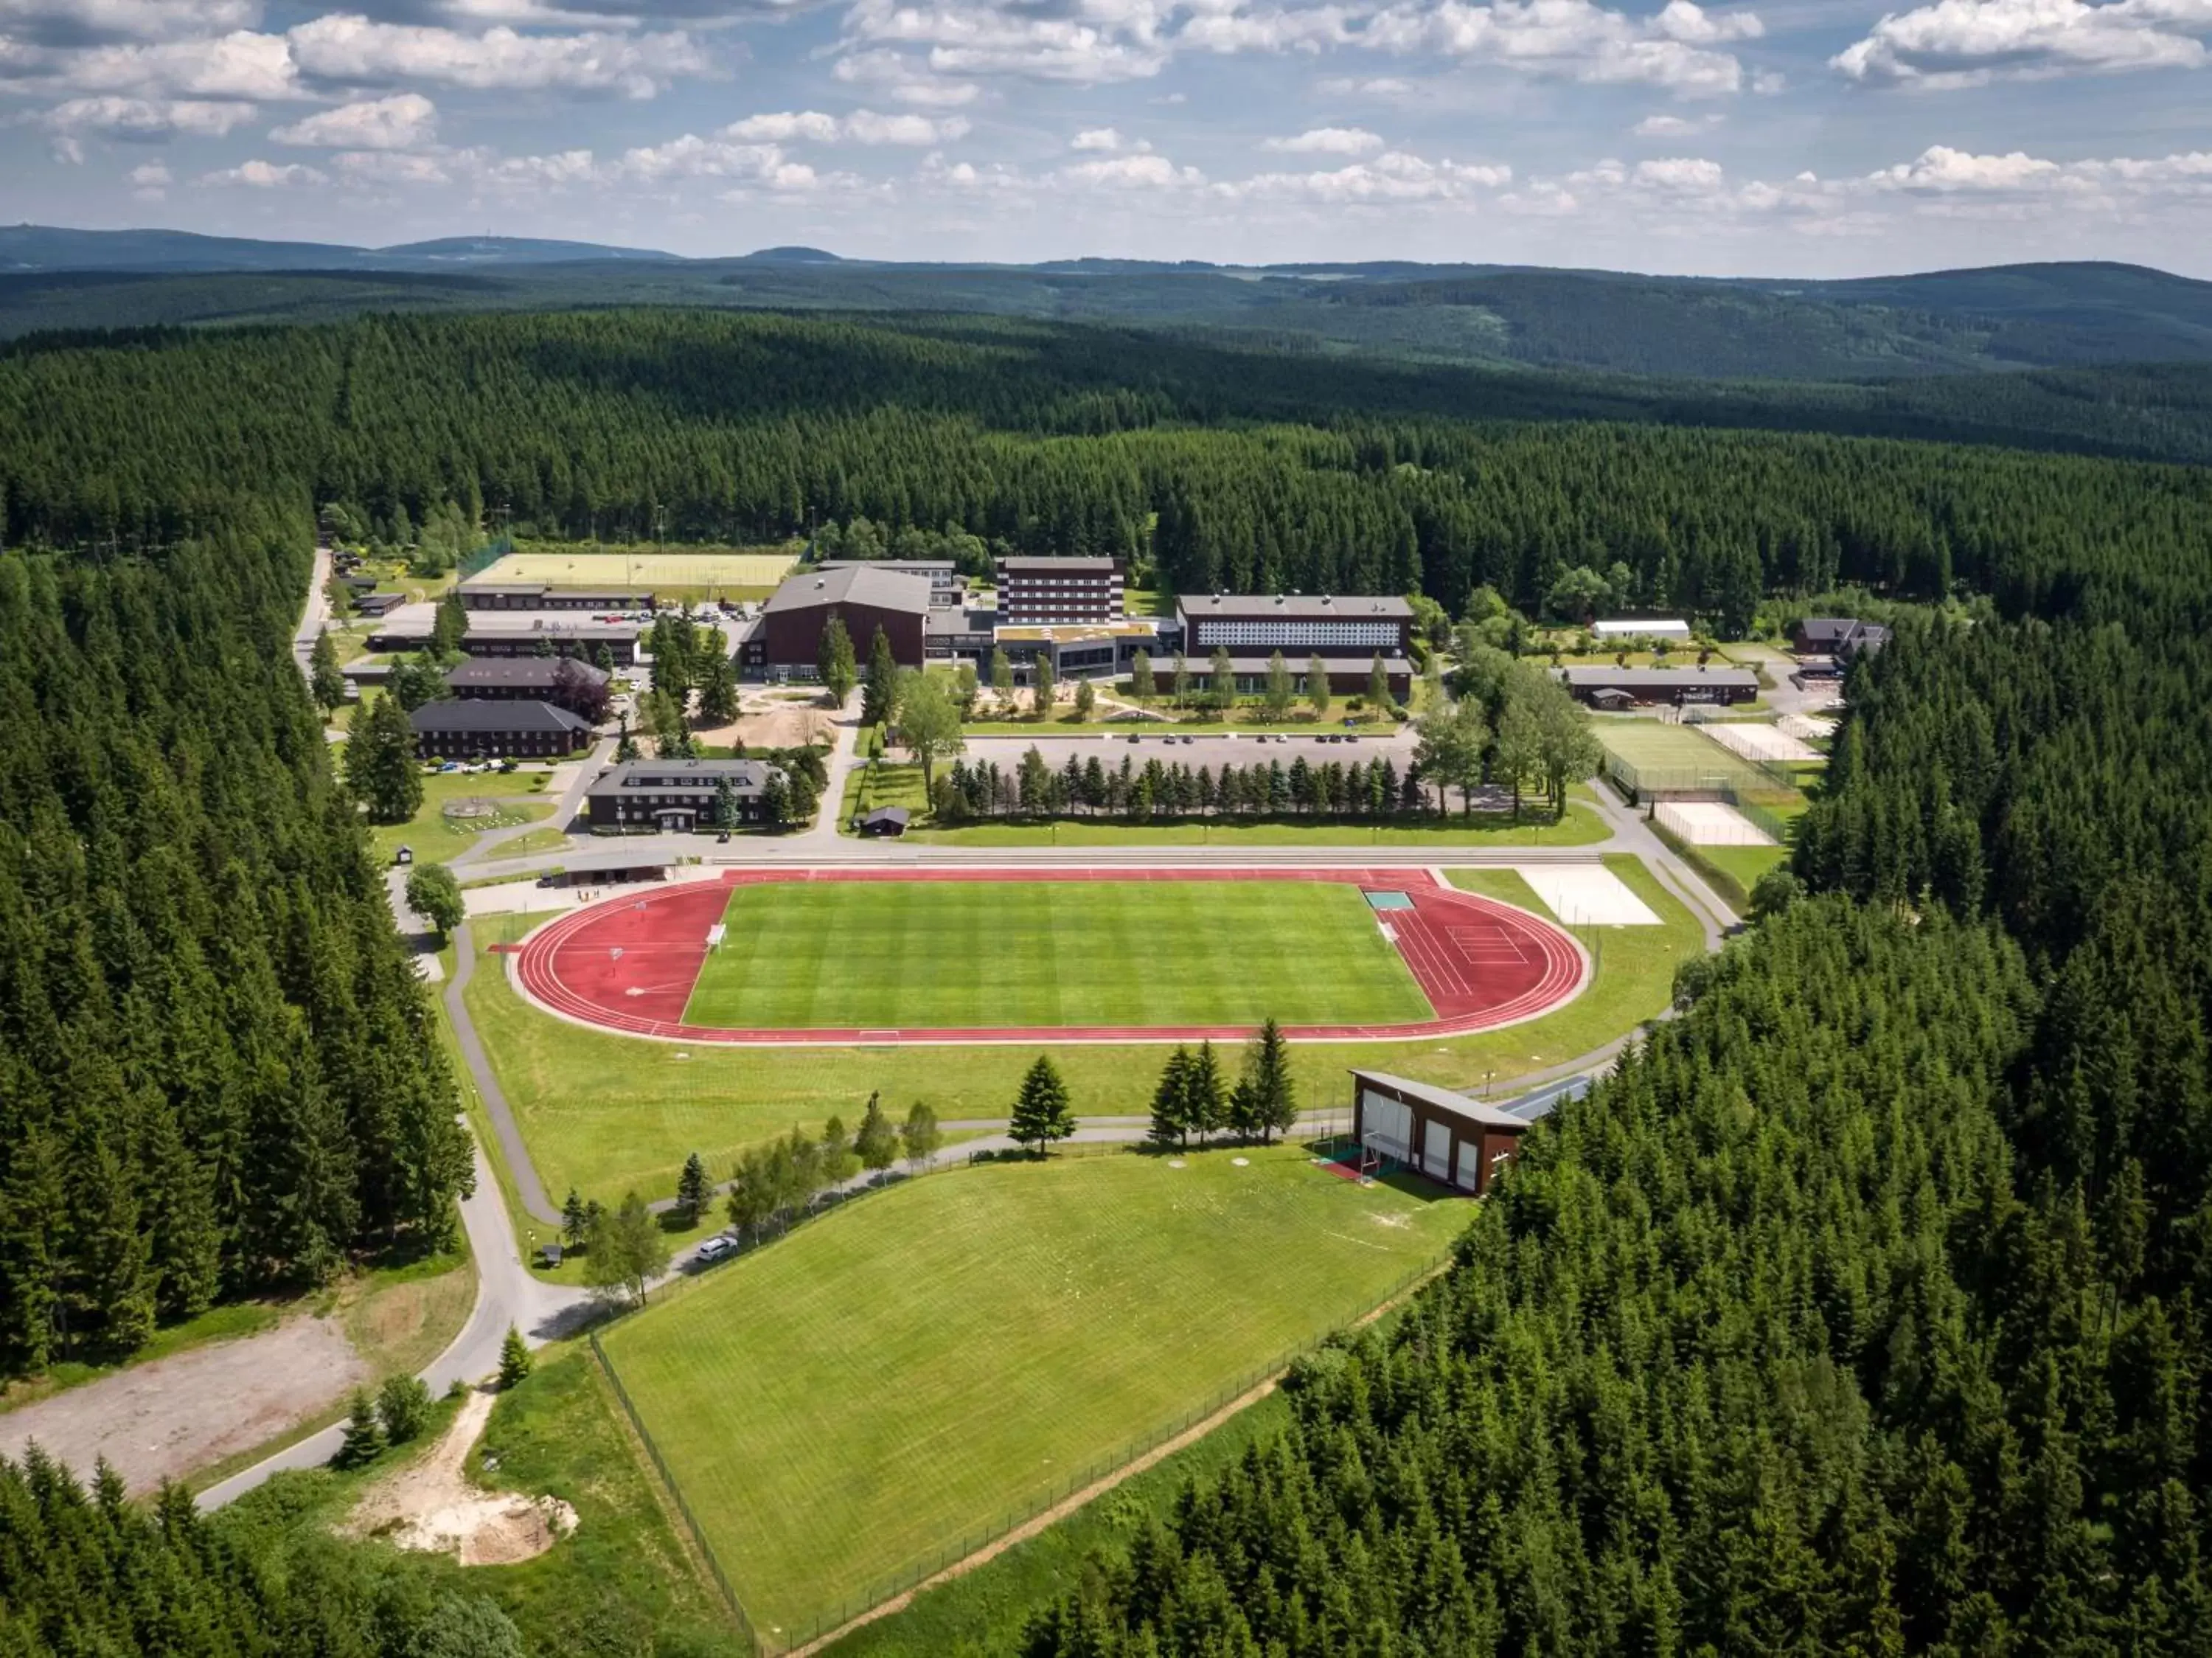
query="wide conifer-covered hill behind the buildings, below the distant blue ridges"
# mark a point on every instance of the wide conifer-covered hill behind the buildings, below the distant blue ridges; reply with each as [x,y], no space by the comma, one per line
[1231,470]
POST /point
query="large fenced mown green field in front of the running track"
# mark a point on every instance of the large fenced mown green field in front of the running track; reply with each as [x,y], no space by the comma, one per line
[919,1371]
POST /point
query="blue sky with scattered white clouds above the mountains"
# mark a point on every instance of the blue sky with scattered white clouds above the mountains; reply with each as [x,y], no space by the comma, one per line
[1788,138]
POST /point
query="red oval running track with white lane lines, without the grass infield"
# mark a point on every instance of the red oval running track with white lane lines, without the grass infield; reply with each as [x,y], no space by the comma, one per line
[629,964]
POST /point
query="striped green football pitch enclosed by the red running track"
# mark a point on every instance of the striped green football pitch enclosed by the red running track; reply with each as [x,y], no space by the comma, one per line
[844,955]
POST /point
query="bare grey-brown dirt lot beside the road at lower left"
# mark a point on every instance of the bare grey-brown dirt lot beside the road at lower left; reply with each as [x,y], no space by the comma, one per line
[176,1416]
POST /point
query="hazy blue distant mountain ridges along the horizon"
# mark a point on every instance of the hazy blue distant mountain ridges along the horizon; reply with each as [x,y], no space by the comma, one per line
[1718,329]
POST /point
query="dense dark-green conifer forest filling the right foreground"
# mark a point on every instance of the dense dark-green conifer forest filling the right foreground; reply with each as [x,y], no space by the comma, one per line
[1866,1307]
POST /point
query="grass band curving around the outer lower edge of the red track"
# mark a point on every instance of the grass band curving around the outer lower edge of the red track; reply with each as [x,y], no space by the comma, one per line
[612,1112]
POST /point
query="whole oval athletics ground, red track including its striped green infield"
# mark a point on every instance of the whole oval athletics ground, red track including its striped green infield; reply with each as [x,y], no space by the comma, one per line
[1050,955]
